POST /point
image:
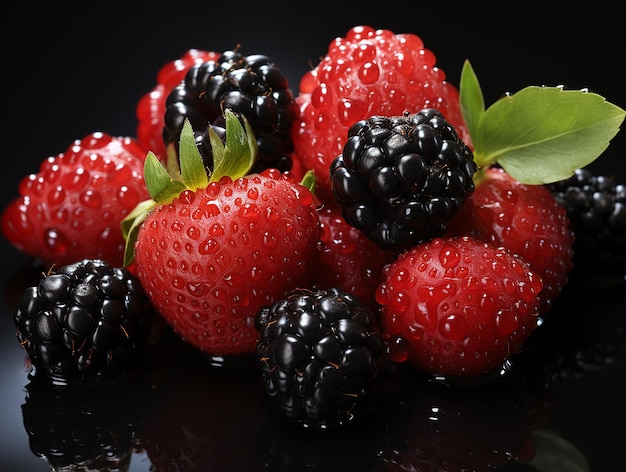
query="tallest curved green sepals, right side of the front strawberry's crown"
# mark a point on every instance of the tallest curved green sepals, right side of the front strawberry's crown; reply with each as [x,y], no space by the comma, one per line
[237,156]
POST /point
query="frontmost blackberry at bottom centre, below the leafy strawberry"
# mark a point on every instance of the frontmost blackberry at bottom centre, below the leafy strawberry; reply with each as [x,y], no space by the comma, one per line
[321,357]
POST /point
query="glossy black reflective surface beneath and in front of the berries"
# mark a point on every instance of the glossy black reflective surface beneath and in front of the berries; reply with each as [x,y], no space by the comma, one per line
[561,400]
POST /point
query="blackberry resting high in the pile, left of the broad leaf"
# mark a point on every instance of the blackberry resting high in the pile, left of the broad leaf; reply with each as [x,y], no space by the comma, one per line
[400,179]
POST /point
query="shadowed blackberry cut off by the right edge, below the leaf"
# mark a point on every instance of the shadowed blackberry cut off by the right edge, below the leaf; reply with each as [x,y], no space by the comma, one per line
[596,207]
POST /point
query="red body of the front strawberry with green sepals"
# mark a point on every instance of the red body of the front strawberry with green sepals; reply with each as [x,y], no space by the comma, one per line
[211,259]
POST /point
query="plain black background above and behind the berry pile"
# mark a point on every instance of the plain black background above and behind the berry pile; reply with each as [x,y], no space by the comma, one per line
[69,71]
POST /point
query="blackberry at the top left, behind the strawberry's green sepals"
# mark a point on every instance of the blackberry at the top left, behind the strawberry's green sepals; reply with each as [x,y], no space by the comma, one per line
[253,86]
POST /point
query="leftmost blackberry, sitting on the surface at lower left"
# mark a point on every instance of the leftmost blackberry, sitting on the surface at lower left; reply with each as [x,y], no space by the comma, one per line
[85,320]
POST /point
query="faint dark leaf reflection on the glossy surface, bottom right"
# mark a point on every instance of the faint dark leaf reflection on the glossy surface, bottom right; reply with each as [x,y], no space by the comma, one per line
[555,454]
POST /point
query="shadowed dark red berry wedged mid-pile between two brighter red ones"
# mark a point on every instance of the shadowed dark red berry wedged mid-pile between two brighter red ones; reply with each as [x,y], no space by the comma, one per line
[348,260]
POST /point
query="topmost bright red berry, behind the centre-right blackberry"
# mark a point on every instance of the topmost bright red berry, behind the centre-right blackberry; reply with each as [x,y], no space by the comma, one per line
[367,72]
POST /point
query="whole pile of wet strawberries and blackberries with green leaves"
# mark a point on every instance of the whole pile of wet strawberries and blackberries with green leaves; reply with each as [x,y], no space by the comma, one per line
[364,222]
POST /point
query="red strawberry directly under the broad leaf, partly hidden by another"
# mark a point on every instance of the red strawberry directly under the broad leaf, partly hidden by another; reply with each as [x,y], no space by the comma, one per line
[524,218]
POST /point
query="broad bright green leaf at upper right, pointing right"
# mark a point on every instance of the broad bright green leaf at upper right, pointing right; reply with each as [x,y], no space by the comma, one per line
[542,134]
